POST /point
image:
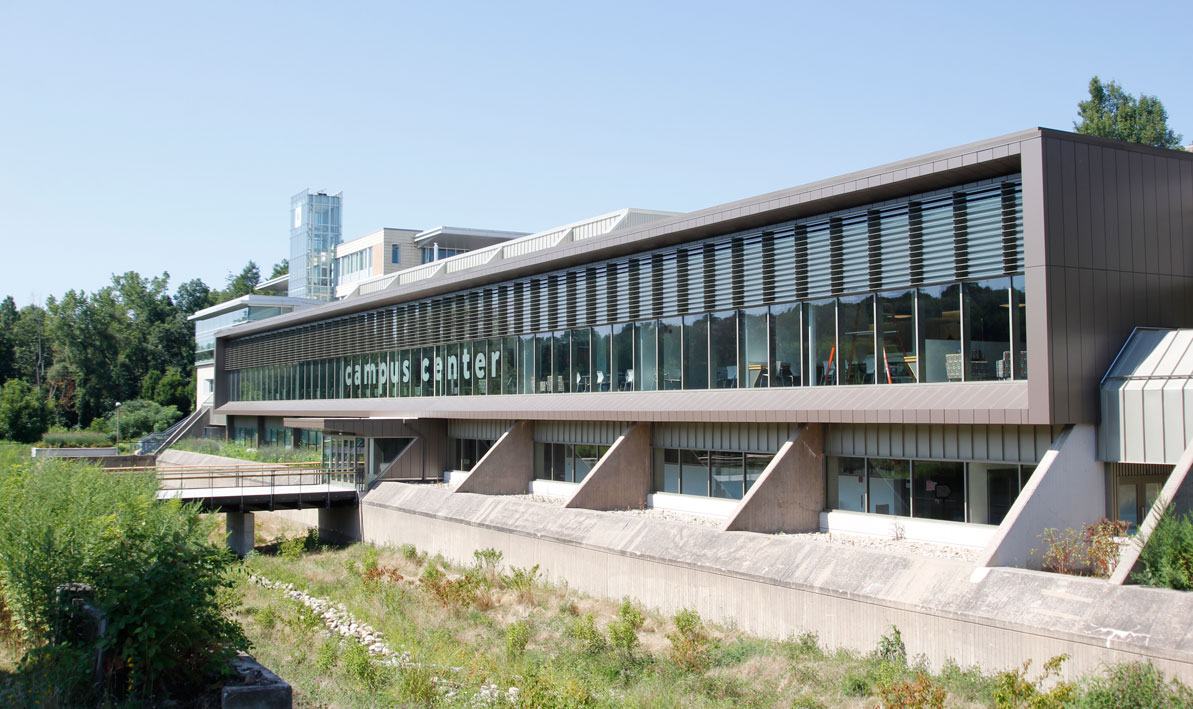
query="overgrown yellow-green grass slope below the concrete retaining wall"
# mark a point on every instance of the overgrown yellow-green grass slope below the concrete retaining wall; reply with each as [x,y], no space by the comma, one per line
[465,645]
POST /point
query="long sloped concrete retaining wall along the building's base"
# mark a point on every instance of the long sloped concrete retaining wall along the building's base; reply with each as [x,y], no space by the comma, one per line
[776,587]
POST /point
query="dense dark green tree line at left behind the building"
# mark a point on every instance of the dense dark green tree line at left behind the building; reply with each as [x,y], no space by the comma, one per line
[69,362]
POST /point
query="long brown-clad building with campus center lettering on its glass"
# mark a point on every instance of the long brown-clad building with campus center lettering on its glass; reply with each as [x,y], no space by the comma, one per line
[907,344]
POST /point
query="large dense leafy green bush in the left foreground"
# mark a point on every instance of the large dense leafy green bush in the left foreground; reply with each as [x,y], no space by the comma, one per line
[156,574]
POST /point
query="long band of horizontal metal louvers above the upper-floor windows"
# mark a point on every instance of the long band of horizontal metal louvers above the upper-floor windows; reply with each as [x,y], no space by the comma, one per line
[967,232]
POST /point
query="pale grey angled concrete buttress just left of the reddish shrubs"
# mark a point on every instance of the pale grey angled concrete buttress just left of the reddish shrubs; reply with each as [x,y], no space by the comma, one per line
[1068,490]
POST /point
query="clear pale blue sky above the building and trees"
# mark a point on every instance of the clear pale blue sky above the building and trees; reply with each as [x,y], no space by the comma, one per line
[169,137]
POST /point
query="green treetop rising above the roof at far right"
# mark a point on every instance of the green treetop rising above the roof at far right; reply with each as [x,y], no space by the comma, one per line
[1112,113]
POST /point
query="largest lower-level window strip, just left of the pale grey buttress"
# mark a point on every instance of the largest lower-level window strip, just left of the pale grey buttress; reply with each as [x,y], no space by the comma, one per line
[929,490]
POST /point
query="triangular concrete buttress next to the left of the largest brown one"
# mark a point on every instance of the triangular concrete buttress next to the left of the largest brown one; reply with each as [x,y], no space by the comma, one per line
[621,480]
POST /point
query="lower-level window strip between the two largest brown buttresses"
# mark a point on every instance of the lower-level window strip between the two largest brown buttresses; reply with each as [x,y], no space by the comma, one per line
[707,473]
